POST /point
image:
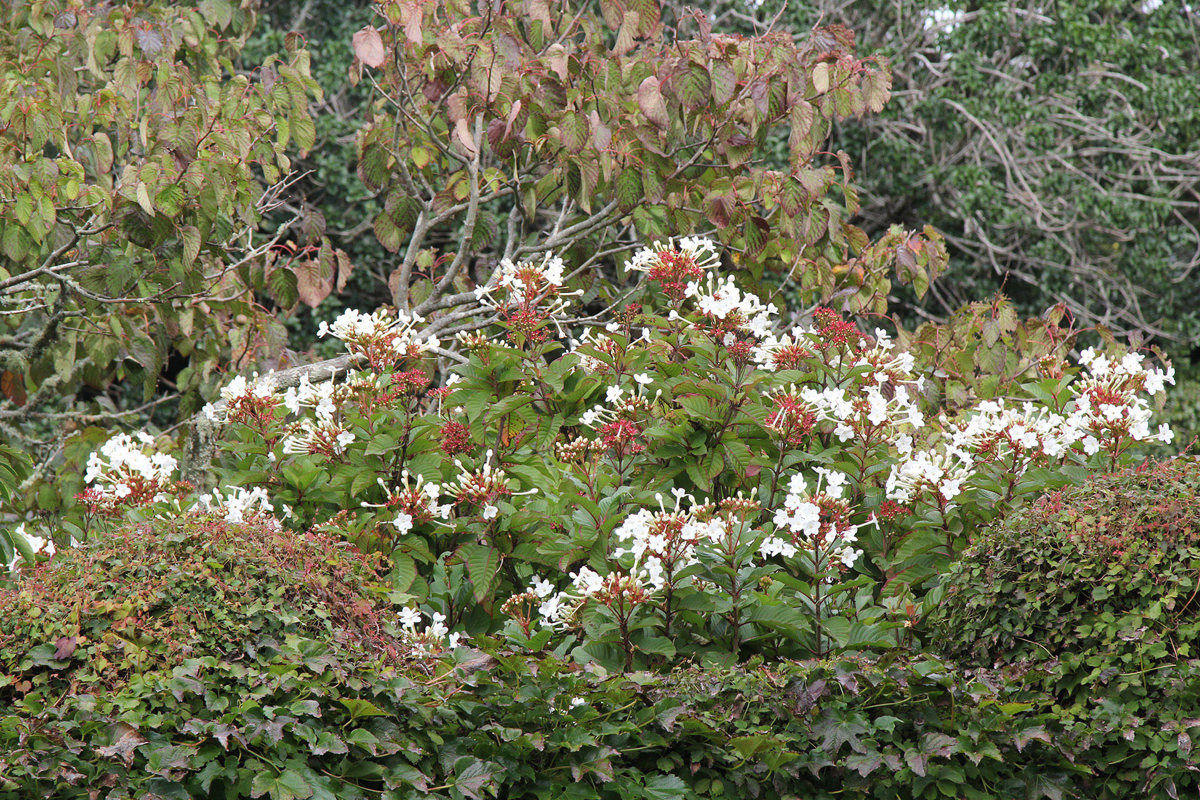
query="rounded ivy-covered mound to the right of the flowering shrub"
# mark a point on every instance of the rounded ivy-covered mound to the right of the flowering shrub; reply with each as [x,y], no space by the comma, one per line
[1091,596]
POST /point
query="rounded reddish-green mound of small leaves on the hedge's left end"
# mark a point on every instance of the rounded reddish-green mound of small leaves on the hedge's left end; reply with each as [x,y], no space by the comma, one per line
[155,594]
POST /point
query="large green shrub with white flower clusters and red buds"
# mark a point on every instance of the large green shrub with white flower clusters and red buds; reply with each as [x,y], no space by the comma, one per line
[693,478]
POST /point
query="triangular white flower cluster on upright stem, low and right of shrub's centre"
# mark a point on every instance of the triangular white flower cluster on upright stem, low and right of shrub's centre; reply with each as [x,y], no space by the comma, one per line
[815,520]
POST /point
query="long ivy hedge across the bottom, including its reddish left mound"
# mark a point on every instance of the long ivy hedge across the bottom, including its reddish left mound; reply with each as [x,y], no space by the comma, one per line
[197,659]
